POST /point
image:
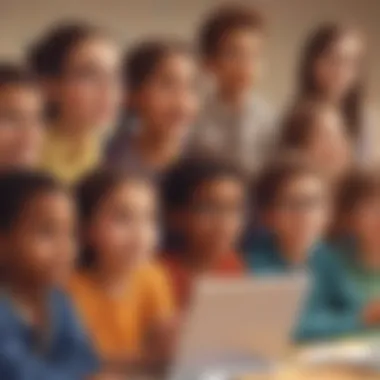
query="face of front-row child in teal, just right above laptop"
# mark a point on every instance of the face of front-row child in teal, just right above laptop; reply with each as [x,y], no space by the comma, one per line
[300,213]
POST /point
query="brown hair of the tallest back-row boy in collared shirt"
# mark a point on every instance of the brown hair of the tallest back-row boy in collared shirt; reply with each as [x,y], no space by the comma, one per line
[223,21]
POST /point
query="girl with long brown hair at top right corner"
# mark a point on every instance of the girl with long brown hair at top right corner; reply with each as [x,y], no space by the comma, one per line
[332,70]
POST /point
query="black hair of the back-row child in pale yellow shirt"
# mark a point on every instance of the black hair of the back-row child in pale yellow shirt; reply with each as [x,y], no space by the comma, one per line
[48,57]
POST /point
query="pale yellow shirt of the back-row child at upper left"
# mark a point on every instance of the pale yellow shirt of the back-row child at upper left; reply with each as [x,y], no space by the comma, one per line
[63,160]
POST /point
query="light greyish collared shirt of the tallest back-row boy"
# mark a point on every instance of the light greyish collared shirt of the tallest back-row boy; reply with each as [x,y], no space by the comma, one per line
[244,138]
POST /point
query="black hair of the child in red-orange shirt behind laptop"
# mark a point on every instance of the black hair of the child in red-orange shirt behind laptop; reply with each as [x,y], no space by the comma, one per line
[182,180]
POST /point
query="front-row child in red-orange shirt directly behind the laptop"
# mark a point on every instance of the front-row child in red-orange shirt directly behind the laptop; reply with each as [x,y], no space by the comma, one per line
[204,203]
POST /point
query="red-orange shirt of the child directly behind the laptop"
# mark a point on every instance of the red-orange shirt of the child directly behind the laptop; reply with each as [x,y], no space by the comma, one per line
[181,277]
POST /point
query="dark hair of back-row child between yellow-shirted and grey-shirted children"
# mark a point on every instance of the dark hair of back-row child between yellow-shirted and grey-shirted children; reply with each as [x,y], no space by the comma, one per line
[142,60]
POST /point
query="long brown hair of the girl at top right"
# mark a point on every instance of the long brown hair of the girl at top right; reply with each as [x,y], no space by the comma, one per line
[317,45]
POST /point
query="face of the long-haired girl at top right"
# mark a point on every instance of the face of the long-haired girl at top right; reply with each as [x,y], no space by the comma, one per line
[338,70]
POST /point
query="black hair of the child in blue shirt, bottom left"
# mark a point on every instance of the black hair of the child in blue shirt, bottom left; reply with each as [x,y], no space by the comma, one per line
[17,188]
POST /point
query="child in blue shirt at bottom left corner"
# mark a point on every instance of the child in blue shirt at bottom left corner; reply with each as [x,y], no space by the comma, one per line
[40,337]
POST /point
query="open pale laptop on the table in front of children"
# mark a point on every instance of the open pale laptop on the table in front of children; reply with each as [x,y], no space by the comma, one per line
[238,325]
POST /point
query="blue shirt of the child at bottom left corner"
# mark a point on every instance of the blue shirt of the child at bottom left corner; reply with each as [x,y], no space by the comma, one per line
[66,354]
